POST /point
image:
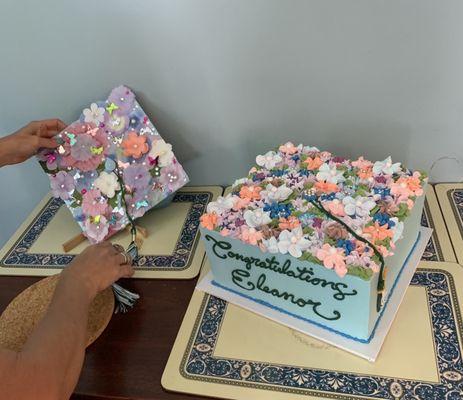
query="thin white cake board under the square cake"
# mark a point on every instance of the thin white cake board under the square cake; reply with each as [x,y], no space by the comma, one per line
[370,350]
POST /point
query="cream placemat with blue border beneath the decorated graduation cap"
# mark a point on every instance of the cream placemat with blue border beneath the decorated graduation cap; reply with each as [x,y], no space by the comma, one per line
[172,250]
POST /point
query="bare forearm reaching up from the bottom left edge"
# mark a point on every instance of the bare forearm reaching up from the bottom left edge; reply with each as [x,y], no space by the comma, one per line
[53,356]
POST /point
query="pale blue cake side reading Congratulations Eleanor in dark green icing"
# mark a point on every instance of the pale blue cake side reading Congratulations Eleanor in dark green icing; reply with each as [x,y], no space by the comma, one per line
[300,288]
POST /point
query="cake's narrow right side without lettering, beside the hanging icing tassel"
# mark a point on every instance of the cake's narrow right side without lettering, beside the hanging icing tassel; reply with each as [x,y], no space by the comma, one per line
[395,263]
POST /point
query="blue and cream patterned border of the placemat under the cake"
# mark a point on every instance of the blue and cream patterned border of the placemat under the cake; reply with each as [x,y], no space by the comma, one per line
[198,361]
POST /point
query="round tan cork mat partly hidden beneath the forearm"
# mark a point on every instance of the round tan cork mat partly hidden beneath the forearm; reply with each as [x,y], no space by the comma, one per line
[27,309]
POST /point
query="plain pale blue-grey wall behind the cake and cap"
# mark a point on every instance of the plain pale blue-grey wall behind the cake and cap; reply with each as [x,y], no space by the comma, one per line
[225,80]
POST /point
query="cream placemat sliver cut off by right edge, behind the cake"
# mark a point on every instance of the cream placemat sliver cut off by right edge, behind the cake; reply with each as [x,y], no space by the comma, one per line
[450,196]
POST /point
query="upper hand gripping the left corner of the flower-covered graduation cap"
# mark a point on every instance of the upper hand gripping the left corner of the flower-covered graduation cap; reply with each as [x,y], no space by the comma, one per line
[25,142]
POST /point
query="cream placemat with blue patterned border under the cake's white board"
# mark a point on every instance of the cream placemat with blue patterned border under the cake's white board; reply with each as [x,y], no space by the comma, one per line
[227,352]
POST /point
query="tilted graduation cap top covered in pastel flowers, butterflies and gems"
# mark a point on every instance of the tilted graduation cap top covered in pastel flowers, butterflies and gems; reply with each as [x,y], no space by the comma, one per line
[111,166]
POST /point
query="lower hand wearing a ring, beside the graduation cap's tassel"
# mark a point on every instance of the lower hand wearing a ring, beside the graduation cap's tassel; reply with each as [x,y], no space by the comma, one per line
[99,266]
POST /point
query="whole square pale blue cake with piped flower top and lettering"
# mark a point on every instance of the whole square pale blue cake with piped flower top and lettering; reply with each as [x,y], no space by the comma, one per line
[319,237]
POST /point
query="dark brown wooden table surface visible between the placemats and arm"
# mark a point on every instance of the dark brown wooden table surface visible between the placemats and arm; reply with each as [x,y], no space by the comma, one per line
[128,359]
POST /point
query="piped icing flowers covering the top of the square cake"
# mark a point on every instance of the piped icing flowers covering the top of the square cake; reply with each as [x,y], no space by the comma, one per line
[315,206]
